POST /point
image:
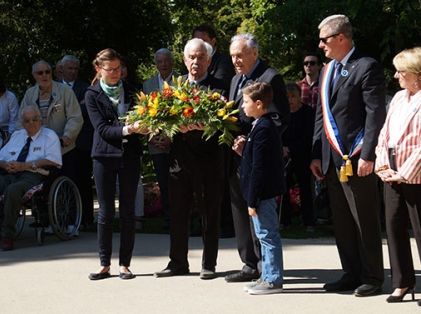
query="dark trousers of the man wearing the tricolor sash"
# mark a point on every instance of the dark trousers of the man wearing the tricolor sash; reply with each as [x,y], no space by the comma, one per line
[356,220]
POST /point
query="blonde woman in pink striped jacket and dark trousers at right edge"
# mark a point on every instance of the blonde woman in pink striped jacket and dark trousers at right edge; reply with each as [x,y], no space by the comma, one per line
[398,165]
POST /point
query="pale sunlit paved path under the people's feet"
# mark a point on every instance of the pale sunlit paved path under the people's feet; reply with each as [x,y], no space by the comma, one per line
[53,279]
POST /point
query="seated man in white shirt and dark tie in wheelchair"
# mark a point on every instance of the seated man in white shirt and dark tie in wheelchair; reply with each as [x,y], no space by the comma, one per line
[22,163]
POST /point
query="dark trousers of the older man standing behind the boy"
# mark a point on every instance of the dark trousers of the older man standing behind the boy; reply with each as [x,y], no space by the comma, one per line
[247,243]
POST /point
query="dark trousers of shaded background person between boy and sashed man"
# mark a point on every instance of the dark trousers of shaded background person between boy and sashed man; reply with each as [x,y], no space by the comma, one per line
[301,168]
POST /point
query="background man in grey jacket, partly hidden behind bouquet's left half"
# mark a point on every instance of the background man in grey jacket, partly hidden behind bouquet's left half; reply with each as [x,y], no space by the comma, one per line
[159,146]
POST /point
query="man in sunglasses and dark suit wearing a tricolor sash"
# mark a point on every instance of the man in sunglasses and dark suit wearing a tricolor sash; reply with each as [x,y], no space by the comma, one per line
[348,122]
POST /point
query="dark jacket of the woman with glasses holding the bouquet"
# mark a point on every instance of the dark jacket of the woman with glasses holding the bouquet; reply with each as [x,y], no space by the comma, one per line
[108,138]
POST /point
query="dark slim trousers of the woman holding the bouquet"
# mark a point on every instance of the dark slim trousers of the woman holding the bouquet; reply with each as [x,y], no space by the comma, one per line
[105,174]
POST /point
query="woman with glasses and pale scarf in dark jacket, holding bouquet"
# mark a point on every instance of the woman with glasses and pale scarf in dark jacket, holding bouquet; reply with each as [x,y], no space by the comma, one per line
[116,155]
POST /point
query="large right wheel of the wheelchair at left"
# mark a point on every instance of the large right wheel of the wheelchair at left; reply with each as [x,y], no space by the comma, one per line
[64,208]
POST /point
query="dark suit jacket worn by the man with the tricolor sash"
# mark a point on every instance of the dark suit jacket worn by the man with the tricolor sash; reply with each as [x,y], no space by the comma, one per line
[357,101]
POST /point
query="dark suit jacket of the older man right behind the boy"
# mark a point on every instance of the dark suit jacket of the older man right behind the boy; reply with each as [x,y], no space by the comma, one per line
[279,107]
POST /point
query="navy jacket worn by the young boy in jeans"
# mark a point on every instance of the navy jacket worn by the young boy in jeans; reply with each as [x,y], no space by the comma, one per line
[261,172]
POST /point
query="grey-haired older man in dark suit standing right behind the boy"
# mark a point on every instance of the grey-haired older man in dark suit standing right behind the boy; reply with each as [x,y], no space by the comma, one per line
[244,52]
